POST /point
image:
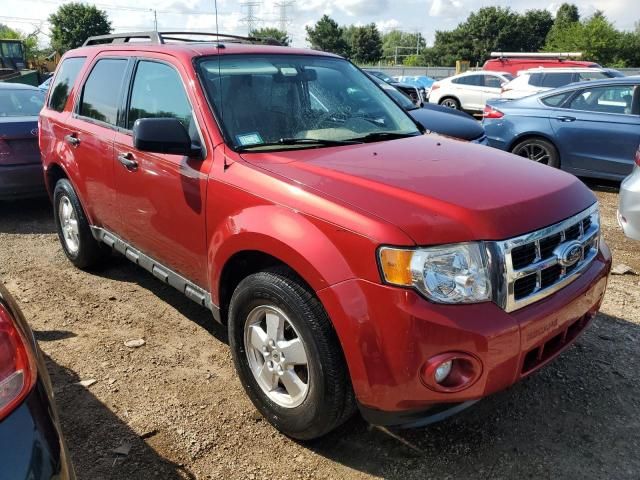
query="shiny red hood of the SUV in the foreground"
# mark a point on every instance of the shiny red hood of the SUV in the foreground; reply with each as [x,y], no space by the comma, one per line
[434,189]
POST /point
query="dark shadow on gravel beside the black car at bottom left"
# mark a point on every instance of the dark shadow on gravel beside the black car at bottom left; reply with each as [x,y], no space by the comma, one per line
[93,431]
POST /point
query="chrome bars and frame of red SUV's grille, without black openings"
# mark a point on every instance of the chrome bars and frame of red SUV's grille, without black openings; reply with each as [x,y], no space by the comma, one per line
[590,237]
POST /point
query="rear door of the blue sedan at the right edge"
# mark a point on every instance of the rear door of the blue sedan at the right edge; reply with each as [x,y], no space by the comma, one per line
[598,130]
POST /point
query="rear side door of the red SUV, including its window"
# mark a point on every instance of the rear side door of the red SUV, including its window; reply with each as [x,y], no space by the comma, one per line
[89,135]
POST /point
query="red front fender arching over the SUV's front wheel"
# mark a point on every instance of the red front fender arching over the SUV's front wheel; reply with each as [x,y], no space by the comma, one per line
[321,253]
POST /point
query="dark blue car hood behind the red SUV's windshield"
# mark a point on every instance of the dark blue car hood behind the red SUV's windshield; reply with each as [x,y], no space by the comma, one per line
[449,123]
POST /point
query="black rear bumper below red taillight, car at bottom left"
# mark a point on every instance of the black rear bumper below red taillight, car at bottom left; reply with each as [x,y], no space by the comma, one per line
[31,446]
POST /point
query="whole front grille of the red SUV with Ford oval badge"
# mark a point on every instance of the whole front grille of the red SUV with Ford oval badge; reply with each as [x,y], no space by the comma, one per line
[542,262]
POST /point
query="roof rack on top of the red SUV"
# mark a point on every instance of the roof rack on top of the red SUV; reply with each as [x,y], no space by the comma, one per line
[161,38]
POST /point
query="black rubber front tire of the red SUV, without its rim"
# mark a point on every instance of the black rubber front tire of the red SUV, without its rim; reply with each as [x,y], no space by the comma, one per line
[330,400]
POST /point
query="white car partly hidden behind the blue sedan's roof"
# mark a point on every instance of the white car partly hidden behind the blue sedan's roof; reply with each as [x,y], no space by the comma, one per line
[540,79]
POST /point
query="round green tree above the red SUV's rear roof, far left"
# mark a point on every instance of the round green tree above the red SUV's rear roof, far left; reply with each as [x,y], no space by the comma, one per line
[73,23]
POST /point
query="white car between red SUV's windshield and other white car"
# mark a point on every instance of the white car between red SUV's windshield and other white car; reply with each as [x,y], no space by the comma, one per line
[469,91]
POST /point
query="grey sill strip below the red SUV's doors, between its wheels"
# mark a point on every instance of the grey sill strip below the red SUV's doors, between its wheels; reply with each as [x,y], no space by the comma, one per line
[158,270]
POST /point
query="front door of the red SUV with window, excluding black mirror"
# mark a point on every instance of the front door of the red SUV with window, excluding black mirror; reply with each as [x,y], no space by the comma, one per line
[161,198]
